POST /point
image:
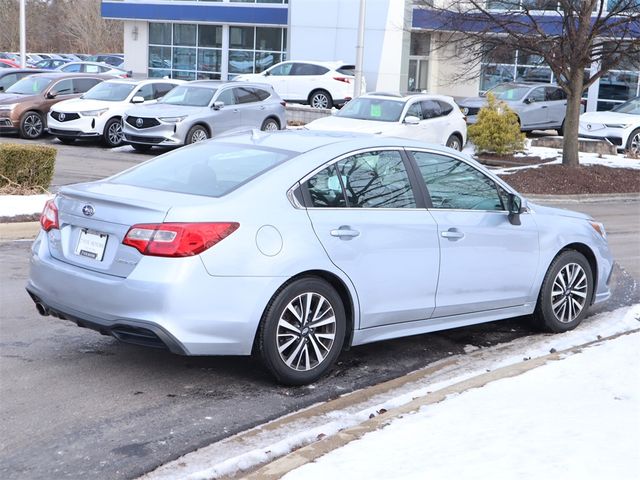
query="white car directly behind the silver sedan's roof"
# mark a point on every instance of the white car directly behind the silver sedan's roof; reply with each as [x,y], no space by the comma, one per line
[429,118]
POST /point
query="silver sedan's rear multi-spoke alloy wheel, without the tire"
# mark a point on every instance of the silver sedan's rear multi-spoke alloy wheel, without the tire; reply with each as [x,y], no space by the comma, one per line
[306,331]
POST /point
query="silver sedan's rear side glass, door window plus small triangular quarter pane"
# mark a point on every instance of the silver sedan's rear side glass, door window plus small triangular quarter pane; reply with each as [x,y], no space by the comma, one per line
[375,179]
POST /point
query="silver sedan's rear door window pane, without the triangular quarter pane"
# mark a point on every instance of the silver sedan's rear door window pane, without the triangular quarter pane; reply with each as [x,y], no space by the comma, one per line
[376,180]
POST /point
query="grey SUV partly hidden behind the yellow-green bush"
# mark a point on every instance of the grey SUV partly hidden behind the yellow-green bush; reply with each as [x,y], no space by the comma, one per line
[539,106]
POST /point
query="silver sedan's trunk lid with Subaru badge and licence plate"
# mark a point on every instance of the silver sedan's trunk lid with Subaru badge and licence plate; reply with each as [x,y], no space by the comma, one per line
[95,217]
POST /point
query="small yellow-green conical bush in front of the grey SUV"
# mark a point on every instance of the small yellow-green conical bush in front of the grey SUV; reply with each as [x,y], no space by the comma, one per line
[497,129]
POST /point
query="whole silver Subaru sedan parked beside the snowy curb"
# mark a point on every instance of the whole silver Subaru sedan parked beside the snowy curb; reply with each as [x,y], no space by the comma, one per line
[296,245]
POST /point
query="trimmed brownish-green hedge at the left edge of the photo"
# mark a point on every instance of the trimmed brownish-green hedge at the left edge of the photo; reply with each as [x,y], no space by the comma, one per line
[25,168]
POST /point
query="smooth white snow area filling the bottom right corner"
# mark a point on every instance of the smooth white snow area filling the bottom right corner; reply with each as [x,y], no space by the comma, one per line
[574,418]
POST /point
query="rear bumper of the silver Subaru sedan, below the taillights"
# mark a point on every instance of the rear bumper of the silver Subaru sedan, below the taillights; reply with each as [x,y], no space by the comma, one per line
[173,303]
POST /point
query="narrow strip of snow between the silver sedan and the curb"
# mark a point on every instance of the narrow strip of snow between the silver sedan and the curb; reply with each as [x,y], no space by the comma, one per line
[237,453]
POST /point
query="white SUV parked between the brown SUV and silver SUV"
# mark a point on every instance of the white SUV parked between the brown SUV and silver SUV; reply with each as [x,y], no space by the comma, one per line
[98,113]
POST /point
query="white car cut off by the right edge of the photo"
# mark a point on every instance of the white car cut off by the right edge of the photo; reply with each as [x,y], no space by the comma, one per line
[621,126]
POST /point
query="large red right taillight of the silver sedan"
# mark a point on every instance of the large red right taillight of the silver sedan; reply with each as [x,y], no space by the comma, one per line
[177,239]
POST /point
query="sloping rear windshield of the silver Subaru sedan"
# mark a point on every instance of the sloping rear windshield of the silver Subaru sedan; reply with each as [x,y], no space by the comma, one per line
[211,169]
